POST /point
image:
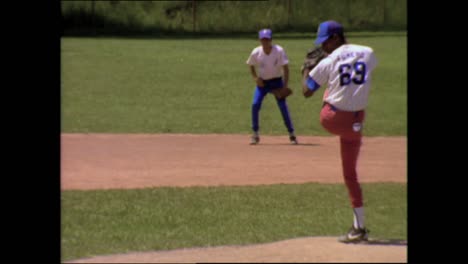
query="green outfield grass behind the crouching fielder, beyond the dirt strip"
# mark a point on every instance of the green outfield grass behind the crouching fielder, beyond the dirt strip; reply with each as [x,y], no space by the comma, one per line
[204,86]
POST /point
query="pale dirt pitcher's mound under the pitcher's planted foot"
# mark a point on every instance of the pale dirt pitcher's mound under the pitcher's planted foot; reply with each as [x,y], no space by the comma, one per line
[311,249]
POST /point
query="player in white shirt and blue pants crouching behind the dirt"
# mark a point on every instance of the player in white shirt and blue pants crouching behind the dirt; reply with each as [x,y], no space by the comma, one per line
[273,77]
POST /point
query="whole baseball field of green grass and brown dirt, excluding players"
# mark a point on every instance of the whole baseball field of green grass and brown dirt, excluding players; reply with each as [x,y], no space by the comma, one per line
[156,165]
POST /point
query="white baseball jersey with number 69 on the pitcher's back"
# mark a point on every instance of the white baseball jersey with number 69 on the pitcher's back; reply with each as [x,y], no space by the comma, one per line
[347,72]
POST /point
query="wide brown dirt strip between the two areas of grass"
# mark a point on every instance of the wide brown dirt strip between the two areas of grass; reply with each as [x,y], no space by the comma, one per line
[101,161]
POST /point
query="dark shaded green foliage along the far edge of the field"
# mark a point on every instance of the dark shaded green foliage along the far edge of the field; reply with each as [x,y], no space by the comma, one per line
[162,17]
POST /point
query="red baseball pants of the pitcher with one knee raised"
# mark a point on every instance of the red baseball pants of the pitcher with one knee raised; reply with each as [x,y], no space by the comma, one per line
[348,126]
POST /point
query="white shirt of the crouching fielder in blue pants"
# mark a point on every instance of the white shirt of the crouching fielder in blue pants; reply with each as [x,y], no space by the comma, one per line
[269,66]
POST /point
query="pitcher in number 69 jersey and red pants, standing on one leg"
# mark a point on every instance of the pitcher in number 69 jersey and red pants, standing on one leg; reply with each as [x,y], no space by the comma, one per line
[347,73]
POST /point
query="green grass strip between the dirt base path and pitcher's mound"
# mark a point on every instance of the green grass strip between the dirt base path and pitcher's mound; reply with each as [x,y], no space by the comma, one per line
[119,221]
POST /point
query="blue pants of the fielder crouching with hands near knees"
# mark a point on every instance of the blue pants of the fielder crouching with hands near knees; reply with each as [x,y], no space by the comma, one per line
[259,95]
